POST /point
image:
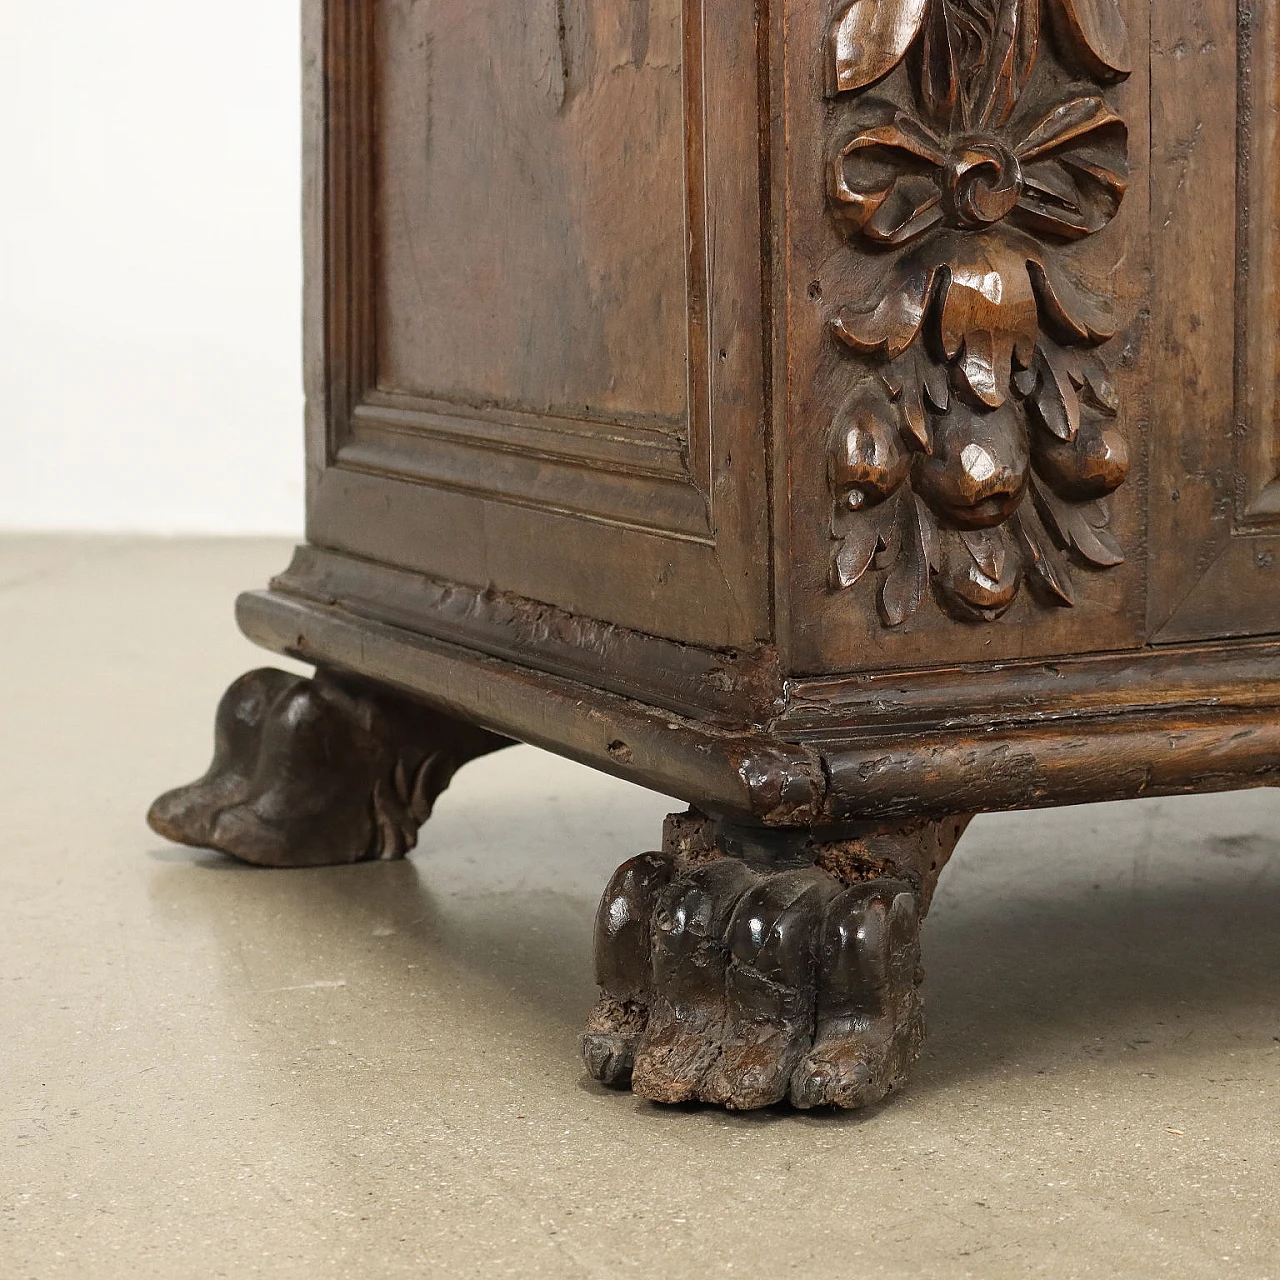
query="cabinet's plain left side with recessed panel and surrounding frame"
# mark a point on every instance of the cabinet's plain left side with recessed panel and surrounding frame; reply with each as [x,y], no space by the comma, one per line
[536,335]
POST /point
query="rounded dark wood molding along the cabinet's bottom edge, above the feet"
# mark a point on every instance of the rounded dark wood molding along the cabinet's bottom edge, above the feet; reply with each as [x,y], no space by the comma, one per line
[772,774]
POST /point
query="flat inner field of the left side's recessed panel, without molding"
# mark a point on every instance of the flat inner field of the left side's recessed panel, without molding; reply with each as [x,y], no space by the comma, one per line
[531,205]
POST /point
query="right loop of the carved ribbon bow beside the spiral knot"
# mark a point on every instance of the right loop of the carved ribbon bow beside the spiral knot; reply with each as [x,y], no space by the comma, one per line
[1075,170]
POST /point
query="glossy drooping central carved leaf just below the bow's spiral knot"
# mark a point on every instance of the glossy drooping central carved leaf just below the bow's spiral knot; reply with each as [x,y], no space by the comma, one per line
[989,314]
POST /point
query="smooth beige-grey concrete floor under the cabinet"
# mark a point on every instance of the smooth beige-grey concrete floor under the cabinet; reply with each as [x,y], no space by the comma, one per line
[211,1071]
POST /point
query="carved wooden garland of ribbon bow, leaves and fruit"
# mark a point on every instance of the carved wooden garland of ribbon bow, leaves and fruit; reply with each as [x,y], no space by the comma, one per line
[986,442]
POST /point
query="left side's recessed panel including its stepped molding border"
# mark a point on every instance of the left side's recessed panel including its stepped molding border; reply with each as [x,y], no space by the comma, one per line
[460,356]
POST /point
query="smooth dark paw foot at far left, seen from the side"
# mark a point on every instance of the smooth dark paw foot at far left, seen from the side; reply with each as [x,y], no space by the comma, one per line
[318,772]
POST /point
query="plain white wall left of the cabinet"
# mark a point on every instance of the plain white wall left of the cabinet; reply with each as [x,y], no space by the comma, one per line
[150,277]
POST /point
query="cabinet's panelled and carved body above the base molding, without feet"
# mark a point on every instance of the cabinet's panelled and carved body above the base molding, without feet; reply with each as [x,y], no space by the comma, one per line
[870,377]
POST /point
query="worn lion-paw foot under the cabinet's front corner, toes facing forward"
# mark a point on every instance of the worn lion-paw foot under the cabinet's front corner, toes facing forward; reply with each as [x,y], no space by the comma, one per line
[746,968]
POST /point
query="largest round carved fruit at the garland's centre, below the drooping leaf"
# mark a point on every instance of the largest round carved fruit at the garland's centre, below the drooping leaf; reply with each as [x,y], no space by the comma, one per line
[977,474]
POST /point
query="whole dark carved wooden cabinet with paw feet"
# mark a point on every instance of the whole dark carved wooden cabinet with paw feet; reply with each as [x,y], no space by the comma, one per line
[844,415]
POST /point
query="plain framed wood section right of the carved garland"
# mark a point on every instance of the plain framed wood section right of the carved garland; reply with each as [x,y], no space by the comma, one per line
[1215,444]
